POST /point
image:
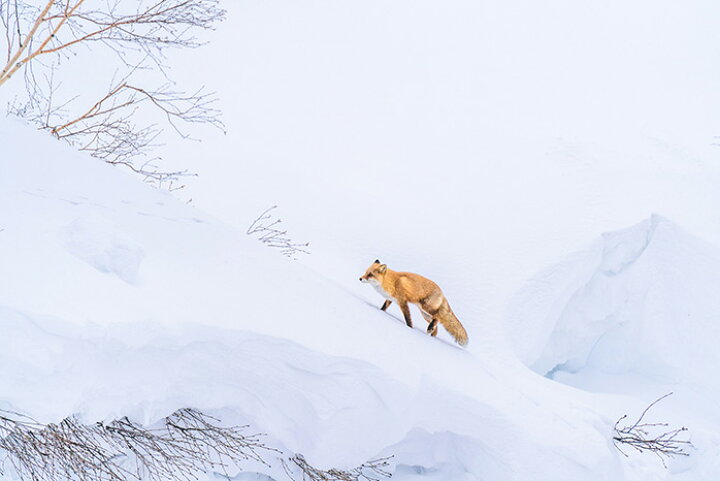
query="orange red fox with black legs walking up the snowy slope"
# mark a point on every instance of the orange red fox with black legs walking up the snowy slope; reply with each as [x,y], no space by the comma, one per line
[404,287]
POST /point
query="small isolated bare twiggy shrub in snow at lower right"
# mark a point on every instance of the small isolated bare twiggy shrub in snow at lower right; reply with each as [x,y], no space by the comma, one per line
[651,437]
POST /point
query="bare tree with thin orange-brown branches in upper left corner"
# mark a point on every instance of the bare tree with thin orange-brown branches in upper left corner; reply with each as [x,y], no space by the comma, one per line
[39,40]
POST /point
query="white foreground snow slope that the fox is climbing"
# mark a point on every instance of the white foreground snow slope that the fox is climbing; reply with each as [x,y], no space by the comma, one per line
[118,299]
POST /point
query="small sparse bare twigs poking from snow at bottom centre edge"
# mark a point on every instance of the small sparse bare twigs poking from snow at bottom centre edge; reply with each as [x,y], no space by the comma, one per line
[373,470]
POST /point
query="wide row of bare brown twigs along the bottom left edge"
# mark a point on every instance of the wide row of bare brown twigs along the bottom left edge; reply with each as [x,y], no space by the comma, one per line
[187,442]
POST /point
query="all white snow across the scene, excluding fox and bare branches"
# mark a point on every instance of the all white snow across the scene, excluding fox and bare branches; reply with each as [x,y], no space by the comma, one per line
[569,219]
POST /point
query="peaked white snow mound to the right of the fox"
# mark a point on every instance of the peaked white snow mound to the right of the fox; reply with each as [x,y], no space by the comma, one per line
[642,300]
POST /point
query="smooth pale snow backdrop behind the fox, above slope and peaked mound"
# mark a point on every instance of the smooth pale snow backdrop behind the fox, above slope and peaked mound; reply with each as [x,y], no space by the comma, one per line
[475,141]
